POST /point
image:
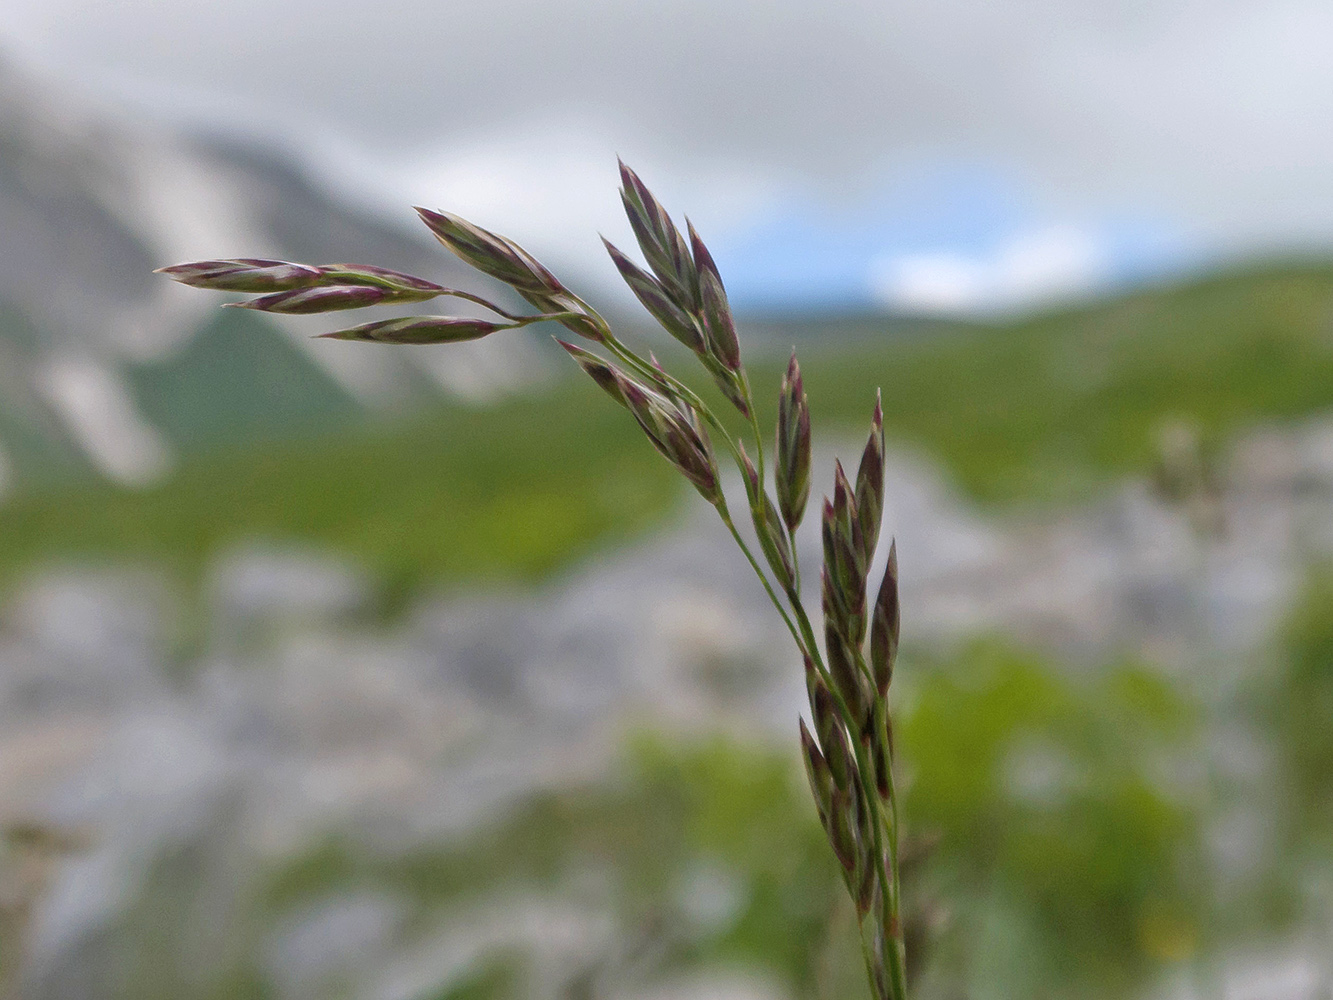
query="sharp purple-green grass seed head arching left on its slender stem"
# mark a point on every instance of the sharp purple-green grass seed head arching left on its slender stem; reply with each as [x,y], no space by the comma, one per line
[850,754]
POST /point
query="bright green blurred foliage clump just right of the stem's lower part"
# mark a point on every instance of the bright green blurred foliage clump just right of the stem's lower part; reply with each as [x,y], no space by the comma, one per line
[1068,857]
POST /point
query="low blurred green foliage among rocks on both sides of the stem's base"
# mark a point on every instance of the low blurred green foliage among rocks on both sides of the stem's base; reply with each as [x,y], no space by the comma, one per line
[1064,861]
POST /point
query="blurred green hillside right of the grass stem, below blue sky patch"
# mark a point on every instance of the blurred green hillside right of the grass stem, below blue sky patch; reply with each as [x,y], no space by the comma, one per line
[1056,407]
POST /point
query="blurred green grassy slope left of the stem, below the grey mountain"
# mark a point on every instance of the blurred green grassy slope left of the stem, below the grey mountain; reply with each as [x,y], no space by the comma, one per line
[505,493]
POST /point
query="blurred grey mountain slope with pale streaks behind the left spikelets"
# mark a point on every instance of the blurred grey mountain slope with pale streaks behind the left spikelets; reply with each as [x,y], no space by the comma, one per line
[90,205]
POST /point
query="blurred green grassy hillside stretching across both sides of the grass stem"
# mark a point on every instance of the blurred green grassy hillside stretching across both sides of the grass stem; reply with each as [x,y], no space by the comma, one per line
[1047,410]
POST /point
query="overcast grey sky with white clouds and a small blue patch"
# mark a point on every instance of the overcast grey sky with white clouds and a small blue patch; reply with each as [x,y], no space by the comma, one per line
[939,153]
